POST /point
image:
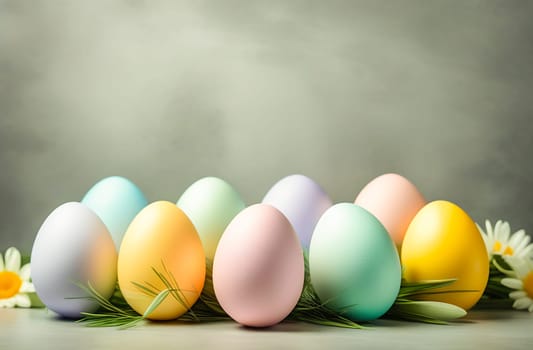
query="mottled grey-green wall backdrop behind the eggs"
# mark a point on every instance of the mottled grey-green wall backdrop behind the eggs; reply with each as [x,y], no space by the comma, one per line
[165,93]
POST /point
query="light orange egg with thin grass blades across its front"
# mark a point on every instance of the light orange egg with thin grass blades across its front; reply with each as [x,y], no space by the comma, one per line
[161,238]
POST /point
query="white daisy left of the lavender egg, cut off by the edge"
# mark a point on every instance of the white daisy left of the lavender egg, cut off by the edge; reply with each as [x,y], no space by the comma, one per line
[14,281]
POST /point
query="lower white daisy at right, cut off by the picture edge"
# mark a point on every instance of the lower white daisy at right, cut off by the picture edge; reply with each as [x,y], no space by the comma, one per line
[523,283]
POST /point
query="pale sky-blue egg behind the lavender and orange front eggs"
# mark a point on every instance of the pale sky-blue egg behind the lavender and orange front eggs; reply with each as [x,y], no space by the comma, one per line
[116,200]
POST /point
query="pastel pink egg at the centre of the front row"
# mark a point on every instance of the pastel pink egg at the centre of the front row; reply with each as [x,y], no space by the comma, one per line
[258,271]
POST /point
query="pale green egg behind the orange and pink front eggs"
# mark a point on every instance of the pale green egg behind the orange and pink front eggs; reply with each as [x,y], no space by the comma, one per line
[211,203]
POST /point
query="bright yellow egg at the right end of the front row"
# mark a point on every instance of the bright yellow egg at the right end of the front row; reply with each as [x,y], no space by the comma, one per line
[443,242]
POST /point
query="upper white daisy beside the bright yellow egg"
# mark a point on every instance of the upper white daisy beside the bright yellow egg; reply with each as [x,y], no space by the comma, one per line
[500,241]
